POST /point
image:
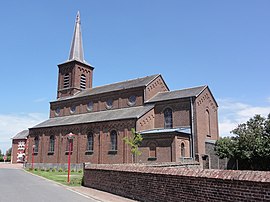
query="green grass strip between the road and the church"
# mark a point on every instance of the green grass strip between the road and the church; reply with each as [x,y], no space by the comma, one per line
[60,177]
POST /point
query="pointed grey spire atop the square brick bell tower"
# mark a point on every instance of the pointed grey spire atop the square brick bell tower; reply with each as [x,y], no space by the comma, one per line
[76,49]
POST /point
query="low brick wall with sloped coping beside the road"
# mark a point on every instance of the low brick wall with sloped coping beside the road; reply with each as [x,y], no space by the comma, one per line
[146,183]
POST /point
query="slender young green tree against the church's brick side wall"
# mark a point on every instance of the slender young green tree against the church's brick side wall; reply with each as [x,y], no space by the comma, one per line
[134,142]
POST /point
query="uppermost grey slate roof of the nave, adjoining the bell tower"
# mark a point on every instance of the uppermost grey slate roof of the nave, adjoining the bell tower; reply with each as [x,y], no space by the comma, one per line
[139,82]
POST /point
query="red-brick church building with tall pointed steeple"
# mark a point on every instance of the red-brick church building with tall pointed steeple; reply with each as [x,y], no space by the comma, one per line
[175,125]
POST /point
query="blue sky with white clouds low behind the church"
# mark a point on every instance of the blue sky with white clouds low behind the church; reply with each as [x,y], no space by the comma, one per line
[223,44]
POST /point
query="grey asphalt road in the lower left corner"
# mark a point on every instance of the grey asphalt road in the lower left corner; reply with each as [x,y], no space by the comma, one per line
[19,186]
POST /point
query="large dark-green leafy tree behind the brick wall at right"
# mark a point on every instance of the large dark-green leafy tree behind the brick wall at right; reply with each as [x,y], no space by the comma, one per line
[250,145]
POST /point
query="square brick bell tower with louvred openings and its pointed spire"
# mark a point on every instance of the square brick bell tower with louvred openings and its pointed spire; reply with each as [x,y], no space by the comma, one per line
[74,75]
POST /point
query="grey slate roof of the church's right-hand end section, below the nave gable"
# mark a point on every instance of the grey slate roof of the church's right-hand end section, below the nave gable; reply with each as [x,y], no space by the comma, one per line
[177,94]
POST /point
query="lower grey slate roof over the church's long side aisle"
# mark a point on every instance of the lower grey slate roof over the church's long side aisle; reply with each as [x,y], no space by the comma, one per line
[109,115]
